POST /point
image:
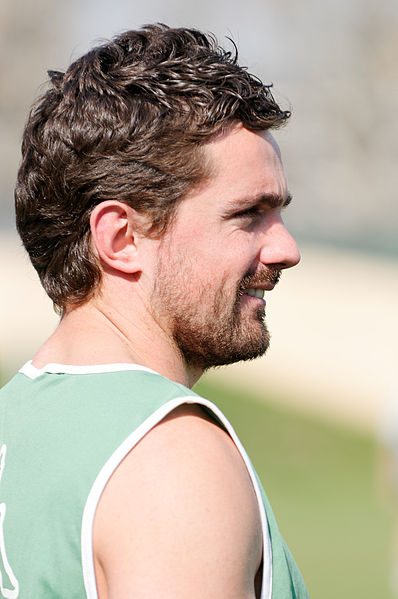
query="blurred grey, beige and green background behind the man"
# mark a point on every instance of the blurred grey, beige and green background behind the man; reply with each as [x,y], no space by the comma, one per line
[318,414]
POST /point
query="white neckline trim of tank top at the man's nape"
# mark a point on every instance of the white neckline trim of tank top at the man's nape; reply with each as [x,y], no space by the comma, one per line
[33,372]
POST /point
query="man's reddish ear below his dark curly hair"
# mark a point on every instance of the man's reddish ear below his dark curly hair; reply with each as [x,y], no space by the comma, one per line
[115,230]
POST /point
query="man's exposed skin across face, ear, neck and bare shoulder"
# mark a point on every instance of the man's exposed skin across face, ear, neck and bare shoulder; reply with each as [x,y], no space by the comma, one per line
[179,516]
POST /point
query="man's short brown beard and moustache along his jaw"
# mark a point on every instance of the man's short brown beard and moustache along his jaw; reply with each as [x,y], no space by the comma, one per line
[211,327]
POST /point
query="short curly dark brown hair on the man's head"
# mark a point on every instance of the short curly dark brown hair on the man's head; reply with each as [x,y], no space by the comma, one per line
[127,121]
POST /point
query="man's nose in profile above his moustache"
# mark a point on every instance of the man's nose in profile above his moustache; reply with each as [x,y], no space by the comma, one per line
[279,247]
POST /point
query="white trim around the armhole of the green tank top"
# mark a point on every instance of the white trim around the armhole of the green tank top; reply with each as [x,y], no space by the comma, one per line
[112,463]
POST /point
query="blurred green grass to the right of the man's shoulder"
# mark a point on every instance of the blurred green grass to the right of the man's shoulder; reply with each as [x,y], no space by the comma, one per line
[321,482]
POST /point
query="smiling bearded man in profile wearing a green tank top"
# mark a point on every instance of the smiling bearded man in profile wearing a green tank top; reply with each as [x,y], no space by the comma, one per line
[149,199]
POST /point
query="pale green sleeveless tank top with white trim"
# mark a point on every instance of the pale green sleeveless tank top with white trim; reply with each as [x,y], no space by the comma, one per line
[63,432]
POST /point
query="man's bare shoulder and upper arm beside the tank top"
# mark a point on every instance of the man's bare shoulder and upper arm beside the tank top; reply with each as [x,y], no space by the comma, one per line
[179,516]
